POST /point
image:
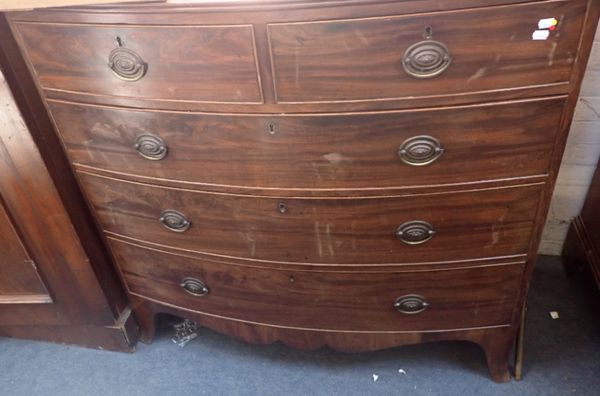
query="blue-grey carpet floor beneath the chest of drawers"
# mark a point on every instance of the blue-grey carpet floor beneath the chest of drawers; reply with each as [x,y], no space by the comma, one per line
[562,358]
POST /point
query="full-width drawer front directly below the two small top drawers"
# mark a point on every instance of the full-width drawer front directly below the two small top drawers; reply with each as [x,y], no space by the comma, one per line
[360,151]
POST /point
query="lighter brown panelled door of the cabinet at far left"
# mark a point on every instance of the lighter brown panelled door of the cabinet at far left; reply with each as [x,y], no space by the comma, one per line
[37,242]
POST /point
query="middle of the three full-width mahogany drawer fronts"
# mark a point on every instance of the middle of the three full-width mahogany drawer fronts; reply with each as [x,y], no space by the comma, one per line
[467,225]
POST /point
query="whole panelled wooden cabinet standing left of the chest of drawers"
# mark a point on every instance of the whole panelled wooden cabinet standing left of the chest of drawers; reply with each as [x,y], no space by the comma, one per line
[56,280]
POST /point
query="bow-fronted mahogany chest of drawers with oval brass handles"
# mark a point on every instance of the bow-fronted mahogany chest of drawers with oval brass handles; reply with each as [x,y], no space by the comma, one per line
[360,174]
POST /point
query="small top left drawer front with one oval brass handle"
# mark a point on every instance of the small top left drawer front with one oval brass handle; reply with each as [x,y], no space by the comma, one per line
[194,63]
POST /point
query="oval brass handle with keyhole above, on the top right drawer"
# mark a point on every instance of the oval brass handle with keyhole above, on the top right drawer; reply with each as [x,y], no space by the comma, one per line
[426,59]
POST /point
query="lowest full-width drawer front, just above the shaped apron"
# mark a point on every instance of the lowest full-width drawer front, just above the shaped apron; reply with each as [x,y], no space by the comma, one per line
[354,301]
